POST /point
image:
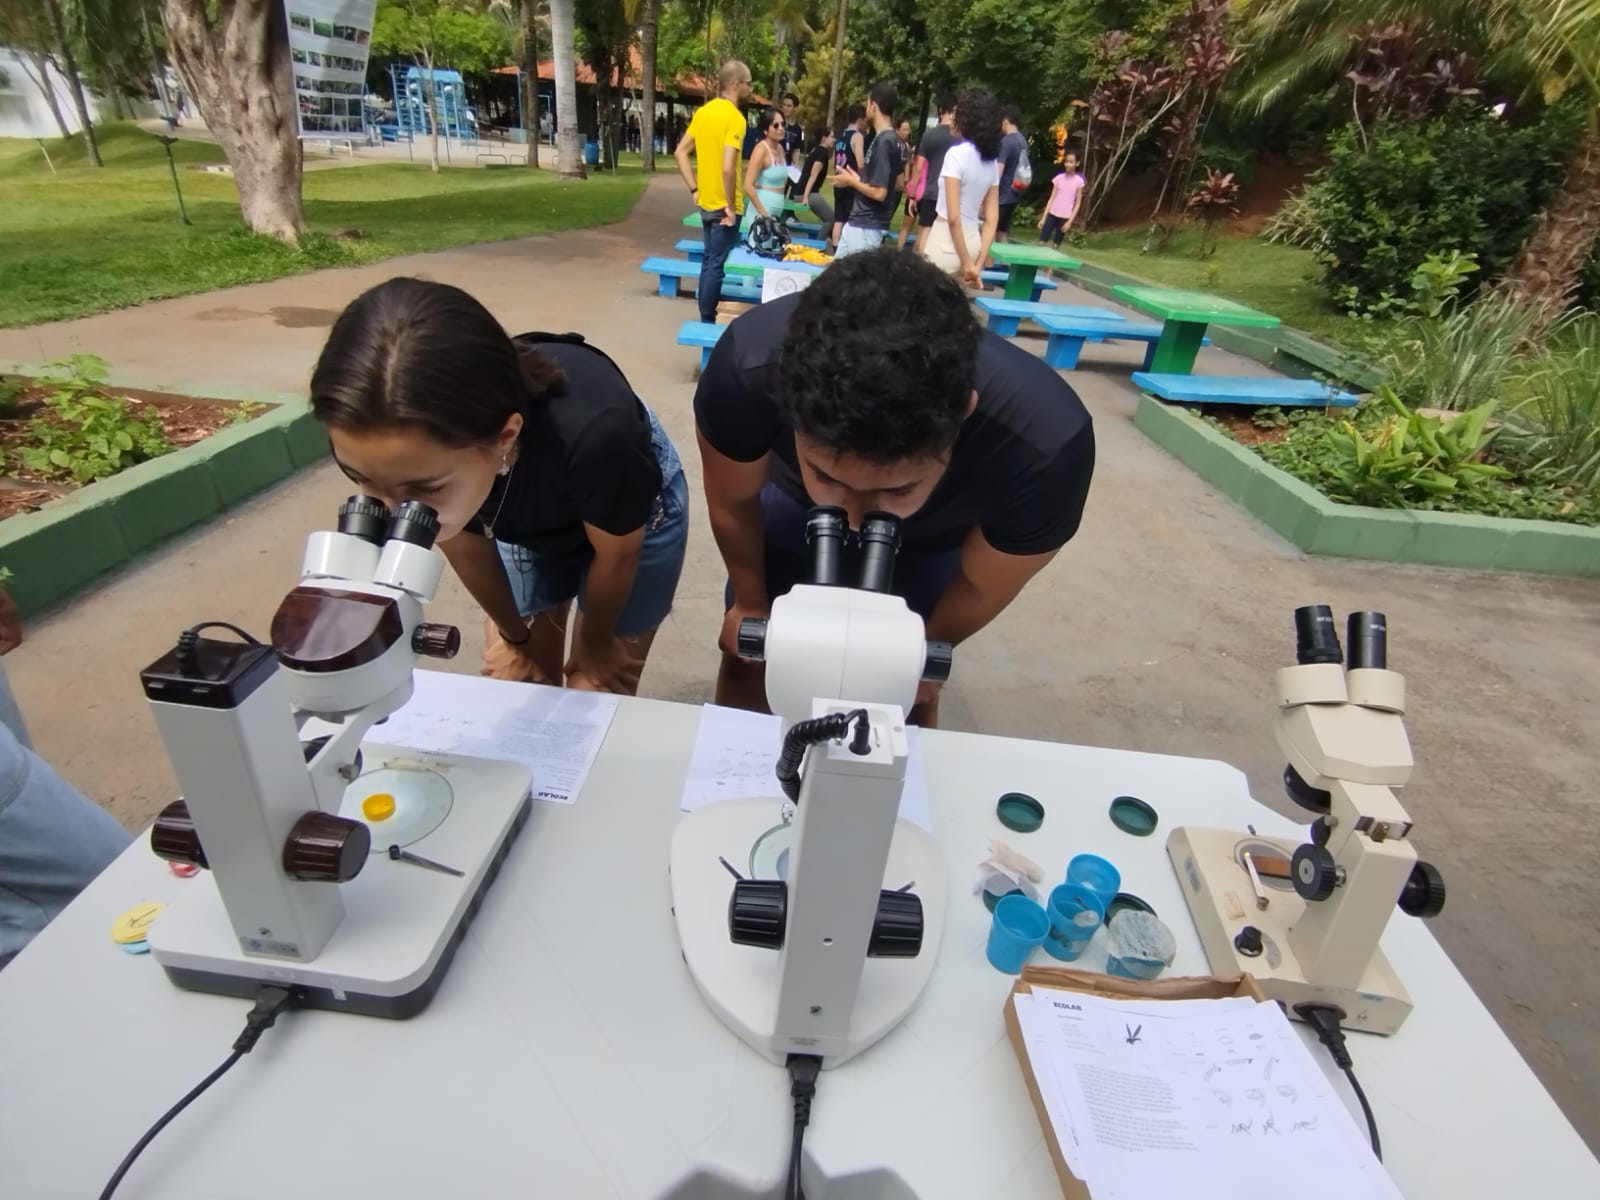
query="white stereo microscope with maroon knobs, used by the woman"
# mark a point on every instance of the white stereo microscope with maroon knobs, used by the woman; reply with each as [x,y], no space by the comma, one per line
[266,742]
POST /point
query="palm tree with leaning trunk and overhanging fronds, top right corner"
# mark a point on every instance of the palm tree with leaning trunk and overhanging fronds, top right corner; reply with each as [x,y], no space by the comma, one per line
[1532,47]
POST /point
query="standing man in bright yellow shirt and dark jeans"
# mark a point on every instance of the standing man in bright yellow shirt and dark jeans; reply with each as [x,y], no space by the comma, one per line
[714,138]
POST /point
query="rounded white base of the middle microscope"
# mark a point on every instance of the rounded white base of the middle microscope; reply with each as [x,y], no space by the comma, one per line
[740,983]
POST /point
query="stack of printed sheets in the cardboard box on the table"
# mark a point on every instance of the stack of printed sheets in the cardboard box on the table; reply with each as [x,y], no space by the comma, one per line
[1151,1098]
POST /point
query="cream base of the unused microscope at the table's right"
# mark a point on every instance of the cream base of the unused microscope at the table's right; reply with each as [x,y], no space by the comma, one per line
[1223,902]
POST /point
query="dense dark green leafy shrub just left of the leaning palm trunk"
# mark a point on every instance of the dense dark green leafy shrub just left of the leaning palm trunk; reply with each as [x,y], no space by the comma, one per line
[1466,182]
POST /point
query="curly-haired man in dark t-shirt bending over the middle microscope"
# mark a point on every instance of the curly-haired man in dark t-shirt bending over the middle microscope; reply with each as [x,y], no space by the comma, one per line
[876,391]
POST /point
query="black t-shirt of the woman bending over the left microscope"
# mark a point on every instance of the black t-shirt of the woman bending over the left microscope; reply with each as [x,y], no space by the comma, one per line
[585,458]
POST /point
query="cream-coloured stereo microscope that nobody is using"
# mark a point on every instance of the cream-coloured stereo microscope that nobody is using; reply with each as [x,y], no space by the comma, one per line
[1306,921]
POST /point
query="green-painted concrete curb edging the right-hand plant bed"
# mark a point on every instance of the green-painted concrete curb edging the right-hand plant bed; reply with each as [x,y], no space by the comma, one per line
[1319,526]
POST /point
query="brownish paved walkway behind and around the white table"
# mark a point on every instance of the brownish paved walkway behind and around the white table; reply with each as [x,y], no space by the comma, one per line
[1158,630]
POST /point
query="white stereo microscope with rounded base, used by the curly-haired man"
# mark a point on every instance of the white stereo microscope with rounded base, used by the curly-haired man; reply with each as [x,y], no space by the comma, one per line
[834,950]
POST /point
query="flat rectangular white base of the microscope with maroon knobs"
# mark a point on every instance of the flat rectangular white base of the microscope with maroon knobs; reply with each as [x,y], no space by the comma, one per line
[402,924]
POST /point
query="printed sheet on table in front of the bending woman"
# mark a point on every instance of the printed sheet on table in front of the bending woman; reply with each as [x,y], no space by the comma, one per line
[554,732]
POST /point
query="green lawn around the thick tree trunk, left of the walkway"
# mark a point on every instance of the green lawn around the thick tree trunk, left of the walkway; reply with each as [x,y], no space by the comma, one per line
[86,241]
